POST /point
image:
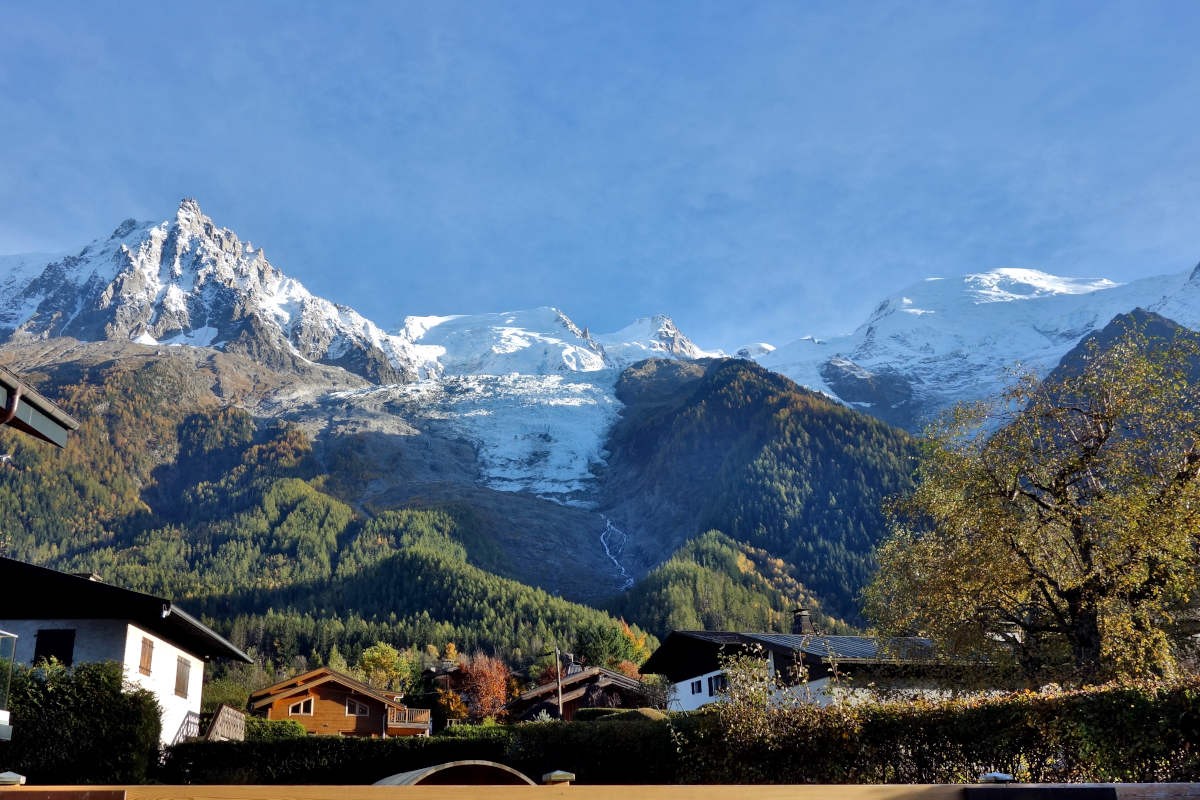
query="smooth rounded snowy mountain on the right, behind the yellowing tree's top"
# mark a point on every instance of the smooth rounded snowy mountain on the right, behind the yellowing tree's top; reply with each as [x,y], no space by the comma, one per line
[944,341]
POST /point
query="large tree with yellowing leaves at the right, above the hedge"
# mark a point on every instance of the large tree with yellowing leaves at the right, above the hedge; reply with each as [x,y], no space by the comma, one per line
[1061,525]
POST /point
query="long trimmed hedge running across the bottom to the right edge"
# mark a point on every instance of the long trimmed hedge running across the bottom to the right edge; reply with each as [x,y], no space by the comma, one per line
[1142,733]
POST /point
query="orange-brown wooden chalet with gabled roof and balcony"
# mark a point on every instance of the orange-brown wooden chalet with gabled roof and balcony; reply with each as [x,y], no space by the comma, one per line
[328,702]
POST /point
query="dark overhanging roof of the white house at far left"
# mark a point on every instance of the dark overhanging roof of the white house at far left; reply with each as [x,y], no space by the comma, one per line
[34,592]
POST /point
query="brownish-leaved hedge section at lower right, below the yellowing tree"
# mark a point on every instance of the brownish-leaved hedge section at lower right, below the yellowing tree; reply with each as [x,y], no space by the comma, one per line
[1133,733]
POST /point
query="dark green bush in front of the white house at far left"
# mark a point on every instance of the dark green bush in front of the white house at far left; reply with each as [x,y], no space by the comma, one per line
[81,725]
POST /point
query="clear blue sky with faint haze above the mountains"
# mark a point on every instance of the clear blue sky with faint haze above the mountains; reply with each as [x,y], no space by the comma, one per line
[758,171]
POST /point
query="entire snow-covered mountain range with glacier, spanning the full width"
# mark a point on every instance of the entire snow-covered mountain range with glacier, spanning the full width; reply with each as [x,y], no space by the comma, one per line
[187,281]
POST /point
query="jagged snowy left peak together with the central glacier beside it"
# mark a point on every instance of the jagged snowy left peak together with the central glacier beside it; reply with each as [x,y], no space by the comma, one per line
[531,390]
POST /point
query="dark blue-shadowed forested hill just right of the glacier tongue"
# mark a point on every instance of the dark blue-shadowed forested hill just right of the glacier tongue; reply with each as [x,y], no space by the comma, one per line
[728,446]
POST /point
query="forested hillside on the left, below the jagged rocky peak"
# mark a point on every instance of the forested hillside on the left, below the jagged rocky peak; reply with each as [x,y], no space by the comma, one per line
[164,492]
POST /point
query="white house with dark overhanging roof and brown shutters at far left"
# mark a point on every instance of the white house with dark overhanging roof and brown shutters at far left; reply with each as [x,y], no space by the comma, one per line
[82,619]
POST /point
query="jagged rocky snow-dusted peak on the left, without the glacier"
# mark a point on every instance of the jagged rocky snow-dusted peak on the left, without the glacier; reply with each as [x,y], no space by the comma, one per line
[187,281]
